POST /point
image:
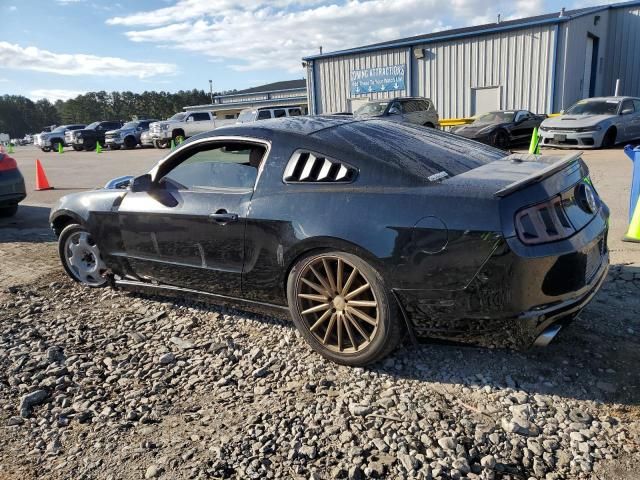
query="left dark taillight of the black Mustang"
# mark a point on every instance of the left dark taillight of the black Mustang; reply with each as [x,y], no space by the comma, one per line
[544,222]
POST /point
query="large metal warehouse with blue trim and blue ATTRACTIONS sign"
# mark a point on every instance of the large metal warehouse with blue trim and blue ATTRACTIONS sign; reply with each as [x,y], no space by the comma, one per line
[543,64]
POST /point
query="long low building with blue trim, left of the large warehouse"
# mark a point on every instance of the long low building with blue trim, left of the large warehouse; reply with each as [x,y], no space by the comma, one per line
[288,92]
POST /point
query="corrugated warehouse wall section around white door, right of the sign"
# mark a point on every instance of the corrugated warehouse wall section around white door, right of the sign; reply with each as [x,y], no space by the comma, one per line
[518,61]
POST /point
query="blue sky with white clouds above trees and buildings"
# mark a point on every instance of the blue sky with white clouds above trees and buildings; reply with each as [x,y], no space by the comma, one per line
[59,48]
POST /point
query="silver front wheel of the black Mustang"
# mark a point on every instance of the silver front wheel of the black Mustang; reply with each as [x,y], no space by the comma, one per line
[81,257]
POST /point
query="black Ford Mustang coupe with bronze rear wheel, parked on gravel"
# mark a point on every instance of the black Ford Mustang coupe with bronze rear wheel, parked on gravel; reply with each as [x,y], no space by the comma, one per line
[364,230]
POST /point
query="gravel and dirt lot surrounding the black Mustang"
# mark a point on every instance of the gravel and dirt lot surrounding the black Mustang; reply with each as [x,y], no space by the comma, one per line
[107,384]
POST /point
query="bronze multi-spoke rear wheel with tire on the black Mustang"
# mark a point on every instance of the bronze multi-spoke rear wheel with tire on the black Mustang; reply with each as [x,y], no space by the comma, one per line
[343,309]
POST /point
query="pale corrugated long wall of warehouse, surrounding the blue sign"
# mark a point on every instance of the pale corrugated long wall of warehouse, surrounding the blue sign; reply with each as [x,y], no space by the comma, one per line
[519,61]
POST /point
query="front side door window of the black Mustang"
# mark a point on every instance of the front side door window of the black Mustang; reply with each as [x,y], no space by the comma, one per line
[219,166]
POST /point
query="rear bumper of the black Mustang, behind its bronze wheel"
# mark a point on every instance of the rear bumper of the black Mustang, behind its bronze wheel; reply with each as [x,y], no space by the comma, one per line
[514,298]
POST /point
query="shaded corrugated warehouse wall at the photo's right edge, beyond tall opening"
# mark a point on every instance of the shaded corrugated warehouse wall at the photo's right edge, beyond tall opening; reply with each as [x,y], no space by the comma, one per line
[623,53]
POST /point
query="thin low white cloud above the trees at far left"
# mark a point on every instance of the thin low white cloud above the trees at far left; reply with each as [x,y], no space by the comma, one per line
[33,58]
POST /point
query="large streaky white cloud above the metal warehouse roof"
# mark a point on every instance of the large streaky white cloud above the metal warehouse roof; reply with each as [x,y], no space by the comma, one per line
[266,34]
